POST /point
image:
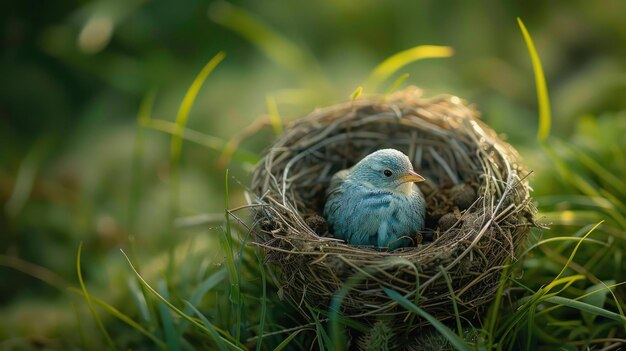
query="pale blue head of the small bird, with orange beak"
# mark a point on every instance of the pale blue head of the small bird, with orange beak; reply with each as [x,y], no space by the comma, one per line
[387,169]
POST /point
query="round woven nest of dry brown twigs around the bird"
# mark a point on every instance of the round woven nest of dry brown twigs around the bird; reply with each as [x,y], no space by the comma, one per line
[479,210]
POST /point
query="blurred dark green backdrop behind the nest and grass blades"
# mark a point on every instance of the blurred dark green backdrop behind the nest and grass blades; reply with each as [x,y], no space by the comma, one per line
[75,73]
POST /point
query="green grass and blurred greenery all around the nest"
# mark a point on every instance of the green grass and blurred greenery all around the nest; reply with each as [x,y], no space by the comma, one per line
[70,166]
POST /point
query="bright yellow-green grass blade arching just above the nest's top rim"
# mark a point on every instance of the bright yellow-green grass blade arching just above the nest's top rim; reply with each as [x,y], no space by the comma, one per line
[395,62]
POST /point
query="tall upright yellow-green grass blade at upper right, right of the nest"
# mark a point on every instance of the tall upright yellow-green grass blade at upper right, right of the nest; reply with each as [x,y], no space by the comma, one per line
[545,118]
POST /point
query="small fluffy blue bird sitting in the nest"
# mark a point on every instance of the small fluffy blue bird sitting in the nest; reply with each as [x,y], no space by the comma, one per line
[376,202]
